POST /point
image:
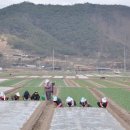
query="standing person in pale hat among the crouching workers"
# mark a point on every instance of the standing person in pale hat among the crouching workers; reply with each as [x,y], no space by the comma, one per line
[48,87]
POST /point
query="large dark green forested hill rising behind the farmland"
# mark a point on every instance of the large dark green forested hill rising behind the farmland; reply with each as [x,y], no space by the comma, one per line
[80,30]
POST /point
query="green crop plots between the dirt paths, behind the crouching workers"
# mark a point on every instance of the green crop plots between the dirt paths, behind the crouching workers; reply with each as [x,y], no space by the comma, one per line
[117,90]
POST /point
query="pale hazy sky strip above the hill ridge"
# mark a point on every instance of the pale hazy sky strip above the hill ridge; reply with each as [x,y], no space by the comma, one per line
[4,3]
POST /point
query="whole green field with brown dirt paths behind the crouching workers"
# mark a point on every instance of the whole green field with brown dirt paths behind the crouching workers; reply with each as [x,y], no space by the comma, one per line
[115,87]
